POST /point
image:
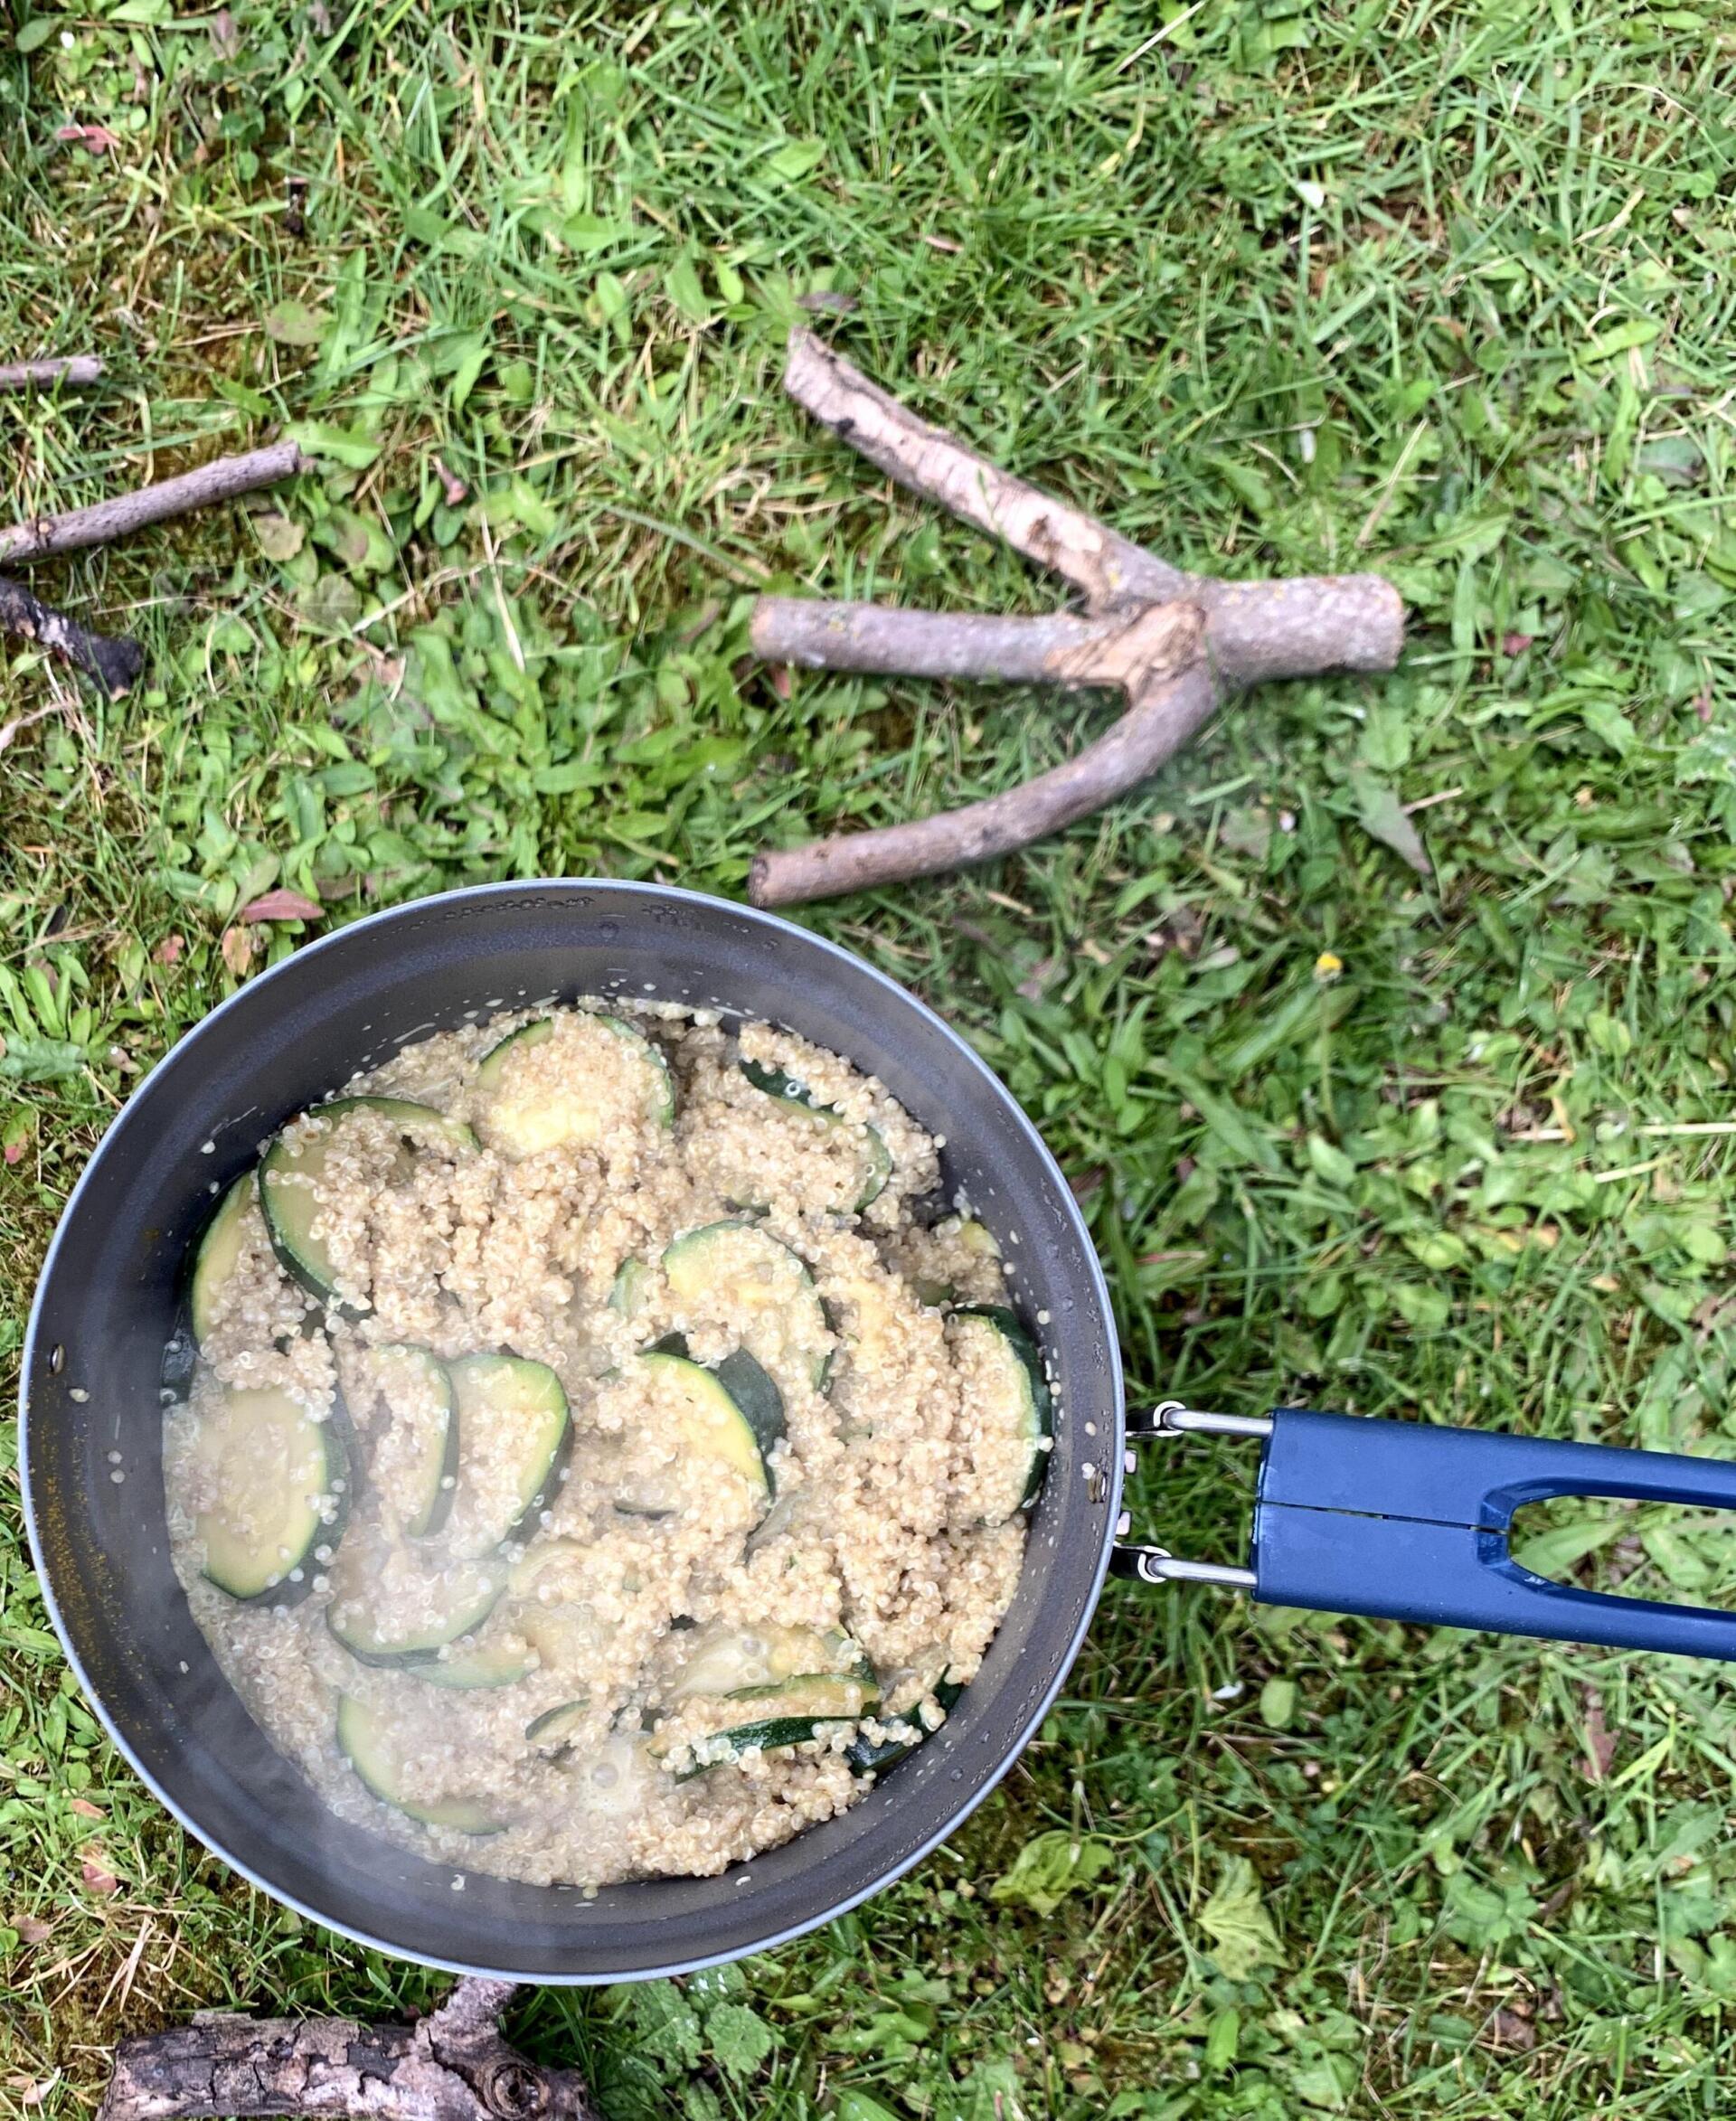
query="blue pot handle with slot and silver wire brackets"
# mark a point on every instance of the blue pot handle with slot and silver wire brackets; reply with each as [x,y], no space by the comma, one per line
[1408,1522]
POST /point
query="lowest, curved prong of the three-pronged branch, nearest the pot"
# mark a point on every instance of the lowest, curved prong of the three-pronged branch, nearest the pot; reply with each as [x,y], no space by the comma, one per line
[1153,731]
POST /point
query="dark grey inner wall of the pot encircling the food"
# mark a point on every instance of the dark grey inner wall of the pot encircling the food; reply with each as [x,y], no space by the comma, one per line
[109,1299]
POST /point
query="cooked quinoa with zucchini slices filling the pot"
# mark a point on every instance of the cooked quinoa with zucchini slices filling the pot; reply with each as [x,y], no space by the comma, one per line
[600,1462]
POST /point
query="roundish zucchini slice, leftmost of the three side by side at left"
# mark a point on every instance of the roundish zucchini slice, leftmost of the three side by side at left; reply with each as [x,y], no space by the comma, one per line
[281,1482]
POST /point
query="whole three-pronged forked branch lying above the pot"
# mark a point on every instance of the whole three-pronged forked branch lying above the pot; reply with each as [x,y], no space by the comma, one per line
[1243,633]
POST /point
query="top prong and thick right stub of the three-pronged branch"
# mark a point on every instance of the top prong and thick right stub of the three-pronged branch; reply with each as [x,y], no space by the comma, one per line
[1255,631]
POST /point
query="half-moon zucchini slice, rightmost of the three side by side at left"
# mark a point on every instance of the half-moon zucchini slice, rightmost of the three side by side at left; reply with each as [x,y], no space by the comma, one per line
[513,1437]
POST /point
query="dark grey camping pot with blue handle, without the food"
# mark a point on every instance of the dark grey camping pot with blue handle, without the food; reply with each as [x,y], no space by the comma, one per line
[1372,1518]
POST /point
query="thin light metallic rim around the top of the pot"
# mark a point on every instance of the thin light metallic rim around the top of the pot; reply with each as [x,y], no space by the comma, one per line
[1096,1293]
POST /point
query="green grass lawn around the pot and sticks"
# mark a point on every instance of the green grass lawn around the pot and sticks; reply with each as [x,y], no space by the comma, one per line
[1436,287]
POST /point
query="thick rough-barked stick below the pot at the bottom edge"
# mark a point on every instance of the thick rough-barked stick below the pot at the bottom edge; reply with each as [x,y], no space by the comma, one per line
[451,2067]
